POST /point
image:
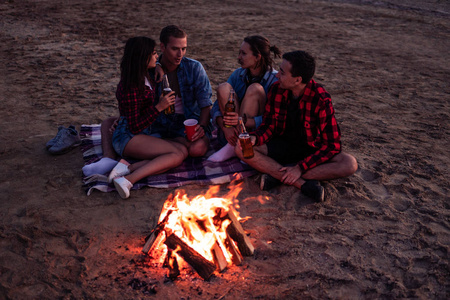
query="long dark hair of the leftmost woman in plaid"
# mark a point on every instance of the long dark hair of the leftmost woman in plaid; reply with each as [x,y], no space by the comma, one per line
[133,67]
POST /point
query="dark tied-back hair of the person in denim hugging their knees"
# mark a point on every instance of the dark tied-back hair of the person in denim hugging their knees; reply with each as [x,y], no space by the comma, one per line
[261,45]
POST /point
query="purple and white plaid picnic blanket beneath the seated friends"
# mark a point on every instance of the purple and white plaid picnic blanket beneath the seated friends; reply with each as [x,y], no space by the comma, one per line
[192,171]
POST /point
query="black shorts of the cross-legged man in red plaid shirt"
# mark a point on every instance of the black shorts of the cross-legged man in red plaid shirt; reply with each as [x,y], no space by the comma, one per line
[286,153]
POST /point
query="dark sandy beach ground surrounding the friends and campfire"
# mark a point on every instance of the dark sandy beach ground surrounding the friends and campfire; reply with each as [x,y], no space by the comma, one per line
[382,233]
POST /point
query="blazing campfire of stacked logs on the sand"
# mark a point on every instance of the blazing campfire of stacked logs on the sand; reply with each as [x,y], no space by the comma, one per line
[204,232]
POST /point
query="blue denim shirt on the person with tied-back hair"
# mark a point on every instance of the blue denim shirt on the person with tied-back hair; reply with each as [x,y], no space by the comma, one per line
[237,81]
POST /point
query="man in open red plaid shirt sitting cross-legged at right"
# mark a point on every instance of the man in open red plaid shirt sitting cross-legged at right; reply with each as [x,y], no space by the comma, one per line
[298,142]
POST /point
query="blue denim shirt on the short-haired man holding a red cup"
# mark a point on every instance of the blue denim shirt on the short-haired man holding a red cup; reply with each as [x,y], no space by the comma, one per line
[195,87]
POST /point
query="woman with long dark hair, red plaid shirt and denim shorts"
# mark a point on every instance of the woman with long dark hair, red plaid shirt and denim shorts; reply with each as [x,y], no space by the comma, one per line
[135,94]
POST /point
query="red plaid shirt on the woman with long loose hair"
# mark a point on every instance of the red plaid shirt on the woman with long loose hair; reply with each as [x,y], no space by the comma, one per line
[138,109]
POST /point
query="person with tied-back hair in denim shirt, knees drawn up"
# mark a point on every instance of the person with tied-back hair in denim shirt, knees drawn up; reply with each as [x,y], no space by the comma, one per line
[251,82]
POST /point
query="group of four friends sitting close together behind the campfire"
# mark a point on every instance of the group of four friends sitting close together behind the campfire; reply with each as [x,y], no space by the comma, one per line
[290,117]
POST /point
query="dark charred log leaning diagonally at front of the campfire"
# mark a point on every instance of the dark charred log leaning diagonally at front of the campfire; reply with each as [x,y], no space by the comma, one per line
[201,265]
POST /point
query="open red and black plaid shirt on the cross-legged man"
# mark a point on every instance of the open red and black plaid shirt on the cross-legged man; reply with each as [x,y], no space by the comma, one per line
[317,120]
